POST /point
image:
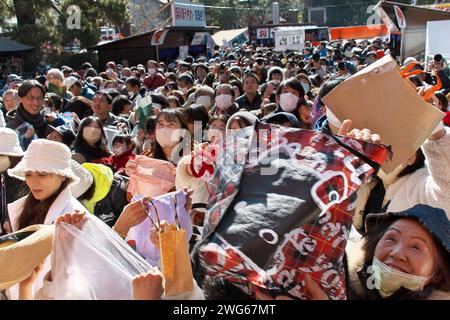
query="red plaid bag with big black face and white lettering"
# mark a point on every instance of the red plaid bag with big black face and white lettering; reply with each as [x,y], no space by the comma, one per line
[311,238]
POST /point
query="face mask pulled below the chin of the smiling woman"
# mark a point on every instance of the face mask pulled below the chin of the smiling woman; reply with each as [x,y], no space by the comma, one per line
[389,280]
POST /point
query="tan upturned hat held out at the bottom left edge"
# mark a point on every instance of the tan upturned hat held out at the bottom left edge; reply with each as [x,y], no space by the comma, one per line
[19,259]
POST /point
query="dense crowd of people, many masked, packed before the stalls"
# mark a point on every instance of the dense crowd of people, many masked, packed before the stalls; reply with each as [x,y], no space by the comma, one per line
[78,143]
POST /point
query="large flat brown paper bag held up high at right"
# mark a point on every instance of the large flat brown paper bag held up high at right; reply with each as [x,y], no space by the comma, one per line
[379,99]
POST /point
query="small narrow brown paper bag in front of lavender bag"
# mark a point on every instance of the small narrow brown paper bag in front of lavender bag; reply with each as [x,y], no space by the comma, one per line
[175,261]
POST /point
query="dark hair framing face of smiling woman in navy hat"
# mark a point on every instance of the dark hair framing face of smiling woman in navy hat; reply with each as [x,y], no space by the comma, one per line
[372,239]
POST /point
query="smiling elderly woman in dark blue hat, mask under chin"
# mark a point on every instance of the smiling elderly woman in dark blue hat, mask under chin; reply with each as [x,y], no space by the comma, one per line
[404,256]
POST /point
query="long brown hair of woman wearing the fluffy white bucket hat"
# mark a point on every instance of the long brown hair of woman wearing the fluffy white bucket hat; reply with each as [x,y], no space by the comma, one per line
[34,211]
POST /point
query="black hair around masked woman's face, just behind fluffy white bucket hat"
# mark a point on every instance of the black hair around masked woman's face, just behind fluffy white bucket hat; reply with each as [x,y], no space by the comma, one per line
[100,150]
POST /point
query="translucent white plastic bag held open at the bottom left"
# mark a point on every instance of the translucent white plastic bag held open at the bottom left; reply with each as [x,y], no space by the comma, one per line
[93,263]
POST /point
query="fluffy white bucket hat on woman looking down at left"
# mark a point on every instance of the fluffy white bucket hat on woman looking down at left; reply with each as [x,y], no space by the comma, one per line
[45,156]
